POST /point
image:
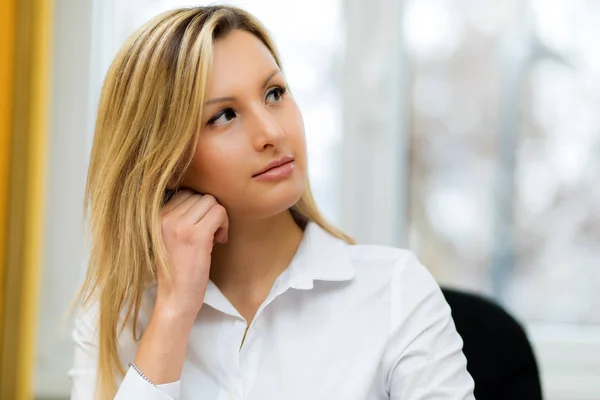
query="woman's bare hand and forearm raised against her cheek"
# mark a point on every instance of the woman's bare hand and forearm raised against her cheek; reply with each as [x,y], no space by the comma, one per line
[191,224]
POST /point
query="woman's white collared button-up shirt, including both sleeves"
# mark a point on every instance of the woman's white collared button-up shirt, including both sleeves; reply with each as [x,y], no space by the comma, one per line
[350,322]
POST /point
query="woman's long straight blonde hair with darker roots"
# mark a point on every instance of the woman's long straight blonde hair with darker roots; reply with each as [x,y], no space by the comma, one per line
[146,129]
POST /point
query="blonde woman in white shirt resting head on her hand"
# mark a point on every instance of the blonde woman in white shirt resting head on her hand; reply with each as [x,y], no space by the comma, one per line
[212,273]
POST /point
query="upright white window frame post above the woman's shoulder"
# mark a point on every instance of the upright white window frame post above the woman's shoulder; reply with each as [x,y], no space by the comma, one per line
[375,144]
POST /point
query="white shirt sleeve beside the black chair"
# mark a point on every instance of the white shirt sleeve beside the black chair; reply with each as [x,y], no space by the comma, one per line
[424,352]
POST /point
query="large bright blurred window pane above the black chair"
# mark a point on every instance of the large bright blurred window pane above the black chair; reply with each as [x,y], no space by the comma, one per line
[504,170]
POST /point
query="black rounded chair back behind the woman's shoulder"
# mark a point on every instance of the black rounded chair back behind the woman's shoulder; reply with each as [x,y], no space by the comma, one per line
[499,356]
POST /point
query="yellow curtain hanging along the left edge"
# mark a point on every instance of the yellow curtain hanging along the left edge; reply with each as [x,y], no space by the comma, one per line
[25,43]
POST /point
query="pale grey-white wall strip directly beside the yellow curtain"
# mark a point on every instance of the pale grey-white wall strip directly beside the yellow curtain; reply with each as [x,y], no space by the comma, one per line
[63,250]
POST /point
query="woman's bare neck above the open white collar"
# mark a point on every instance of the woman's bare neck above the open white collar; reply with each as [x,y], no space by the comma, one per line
[255,254]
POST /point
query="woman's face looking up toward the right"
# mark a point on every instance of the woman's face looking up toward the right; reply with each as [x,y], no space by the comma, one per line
[249,122]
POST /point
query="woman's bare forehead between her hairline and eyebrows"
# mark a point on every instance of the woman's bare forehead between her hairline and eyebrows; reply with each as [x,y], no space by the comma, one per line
[240,60]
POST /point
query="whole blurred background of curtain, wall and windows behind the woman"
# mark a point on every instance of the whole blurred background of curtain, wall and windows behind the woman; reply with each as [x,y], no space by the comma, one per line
[465,130]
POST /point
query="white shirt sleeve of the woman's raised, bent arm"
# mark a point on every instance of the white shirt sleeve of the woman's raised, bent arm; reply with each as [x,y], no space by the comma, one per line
[84,370]
